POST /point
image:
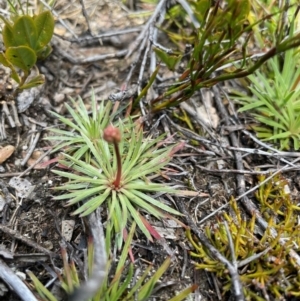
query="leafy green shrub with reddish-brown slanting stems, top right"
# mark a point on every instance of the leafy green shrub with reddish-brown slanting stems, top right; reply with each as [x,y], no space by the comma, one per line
[221,42]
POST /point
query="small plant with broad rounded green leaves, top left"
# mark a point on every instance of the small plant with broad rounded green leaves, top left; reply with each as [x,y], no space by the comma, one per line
[26,39]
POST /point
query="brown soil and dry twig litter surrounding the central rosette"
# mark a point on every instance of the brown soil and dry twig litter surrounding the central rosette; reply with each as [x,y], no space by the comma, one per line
[31,223]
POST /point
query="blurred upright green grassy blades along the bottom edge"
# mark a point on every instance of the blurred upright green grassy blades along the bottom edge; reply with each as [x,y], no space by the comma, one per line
[120,287]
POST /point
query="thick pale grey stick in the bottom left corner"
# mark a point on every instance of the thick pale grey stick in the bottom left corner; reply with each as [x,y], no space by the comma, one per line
[12,280]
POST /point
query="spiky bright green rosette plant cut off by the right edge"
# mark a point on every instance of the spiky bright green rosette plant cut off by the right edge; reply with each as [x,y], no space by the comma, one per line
[276,101]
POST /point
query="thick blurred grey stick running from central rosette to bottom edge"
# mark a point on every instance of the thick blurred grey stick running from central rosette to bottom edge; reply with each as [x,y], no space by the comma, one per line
[92,285]
